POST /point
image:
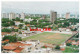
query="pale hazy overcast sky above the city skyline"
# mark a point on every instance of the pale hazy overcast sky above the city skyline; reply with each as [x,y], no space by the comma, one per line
[38,7]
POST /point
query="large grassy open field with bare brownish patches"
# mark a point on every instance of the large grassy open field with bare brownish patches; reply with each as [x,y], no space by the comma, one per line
[48,37]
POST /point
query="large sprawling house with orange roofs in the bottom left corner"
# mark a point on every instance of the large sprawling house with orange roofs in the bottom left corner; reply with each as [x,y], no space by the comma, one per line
[17,47]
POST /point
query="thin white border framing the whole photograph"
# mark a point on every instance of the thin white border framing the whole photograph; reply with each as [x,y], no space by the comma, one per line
[35,0]
